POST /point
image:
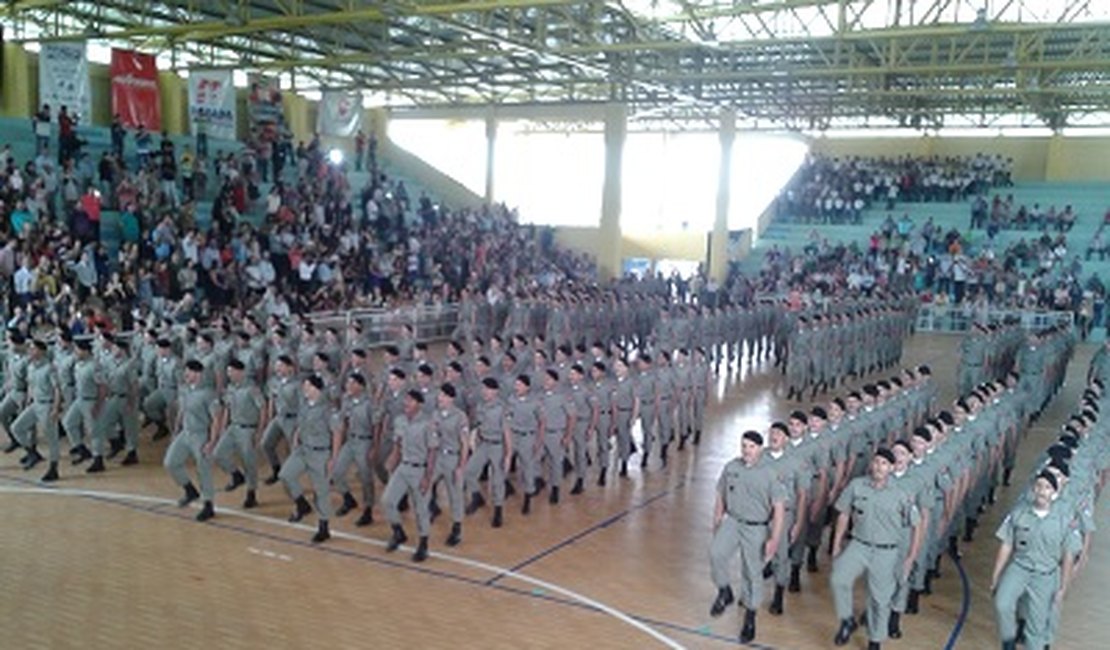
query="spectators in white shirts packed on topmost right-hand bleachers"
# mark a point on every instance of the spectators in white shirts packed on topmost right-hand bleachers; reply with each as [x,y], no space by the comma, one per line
[837,190]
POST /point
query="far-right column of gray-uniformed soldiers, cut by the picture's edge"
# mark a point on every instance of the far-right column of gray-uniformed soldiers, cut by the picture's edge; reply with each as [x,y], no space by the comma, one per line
[1046,539]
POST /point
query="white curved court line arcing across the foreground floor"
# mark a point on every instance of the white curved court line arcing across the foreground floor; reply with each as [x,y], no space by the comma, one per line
[668,642]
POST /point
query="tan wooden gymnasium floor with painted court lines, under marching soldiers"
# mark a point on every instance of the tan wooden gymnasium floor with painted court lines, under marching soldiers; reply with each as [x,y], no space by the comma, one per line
[112,563]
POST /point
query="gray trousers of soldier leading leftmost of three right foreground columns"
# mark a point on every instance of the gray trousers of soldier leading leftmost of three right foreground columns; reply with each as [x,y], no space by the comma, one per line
[734,536]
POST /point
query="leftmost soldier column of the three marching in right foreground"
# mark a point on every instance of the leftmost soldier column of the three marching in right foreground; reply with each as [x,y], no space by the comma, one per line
[773,504]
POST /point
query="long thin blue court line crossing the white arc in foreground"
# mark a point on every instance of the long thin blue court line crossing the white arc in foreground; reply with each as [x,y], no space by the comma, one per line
[405,566]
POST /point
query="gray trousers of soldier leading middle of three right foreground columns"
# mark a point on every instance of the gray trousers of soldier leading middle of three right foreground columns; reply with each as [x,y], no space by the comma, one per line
[881,566]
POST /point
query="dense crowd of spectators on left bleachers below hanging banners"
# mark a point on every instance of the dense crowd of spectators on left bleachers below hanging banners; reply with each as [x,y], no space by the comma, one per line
[311,243]
